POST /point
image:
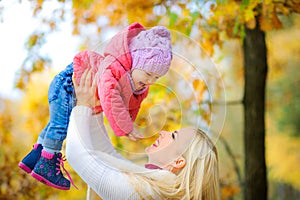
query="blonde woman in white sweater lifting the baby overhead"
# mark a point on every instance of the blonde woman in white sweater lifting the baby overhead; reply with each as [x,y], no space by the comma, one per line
[181,165]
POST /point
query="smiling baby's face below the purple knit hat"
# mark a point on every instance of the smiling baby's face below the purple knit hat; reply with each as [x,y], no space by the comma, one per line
[143,78]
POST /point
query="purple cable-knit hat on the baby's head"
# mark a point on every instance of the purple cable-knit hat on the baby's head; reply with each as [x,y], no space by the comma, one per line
[151,50]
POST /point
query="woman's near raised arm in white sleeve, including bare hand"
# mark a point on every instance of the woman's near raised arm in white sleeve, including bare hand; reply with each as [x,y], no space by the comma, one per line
[108,182]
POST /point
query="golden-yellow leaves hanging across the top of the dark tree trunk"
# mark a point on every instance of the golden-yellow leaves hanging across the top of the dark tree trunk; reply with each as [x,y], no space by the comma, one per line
[231,16]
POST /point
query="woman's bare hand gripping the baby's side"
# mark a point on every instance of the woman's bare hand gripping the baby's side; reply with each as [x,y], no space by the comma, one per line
[86,90]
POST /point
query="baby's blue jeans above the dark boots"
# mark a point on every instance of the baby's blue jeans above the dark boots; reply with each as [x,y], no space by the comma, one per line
[61,98]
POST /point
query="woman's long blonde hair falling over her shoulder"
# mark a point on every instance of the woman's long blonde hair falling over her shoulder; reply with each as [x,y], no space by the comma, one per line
[199,179]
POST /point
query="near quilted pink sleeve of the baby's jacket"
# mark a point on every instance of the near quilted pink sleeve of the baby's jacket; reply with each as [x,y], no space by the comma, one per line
[113,105]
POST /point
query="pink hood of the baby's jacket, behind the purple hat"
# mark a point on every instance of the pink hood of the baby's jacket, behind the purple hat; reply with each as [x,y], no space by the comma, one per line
[118,45]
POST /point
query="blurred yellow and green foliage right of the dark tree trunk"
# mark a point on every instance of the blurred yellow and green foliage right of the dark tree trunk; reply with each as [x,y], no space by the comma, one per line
[283,138]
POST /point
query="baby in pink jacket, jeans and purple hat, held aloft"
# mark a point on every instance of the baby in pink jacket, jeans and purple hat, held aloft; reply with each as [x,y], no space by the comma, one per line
[132,61]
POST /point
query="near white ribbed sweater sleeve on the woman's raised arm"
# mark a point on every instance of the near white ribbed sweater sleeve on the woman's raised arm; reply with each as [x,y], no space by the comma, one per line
[106,181]
